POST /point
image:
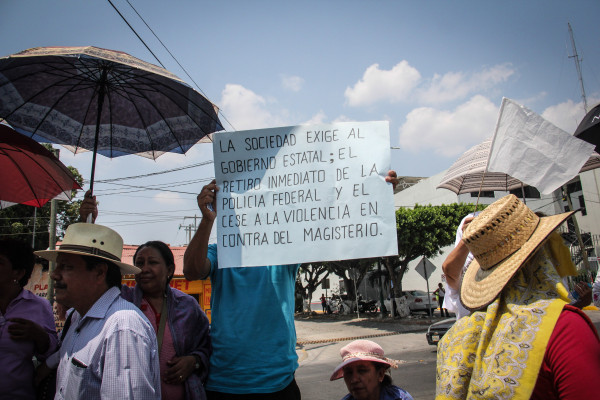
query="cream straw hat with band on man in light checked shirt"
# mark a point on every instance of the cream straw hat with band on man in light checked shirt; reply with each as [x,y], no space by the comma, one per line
[92,240]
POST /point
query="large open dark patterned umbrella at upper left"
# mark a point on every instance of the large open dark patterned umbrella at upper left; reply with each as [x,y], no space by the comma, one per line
[107,101]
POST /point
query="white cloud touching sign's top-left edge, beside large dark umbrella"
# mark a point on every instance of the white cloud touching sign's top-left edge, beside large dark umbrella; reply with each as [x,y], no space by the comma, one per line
[245,109]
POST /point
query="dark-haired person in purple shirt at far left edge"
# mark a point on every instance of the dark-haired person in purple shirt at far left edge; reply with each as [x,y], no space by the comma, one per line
[20,337]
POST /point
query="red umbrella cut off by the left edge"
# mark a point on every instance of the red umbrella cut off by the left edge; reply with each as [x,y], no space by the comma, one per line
[29,173]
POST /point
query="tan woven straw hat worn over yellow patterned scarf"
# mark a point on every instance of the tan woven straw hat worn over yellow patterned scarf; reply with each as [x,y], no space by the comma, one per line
[502,238]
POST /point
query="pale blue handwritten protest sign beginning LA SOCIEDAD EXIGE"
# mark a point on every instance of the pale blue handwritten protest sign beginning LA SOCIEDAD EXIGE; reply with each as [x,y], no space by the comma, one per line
[304,193]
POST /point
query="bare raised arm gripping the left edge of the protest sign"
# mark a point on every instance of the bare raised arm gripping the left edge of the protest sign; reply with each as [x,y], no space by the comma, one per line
[195,263]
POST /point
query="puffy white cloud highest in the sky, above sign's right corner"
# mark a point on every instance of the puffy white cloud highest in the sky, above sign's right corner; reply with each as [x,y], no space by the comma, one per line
[377,84]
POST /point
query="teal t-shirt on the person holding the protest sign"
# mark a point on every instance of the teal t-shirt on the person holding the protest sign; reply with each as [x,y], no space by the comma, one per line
[252,328]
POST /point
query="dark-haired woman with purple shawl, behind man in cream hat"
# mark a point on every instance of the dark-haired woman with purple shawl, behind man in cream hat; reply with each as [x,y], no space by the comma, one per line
[182,328]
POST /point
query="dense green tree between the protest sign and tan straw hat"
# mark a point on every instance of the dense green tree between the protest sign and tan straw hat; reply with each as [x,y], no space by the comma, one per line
[422,232]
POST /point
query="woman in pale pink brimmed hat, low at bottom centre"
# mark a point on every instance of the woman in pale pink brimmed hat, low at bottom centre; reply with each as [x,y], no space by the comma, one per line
[364,368]
